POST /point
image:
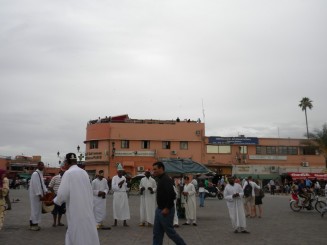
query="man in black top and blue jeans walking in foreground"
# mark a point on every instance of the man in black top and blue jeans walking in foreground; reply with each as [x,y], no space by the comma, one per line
[164,216]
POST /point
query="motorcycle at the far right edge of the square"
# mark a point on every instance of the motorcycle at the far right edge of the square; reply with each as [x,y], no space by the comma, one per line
[297,203]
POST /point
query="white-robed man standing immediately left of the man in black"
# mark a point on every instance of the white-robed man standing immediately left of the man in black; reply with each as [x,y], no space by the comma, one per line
[148,187]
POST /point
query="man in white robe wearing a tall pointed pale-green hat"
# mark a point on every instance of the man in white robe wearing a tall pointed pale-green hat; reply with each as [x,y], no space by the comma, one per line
[120,198]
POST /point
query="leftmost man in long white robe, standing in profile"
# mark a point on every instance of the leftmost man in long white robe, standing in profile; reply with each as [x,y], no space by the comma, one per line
[37,190]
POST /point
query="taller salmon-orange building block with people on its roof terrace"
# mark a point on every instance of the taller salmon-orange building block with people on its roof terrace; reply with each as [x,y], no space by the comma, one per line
[137,144]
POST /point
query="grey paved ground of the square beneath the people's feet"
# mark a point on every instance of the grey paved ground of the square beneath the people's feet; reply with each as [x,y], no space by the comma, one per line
[279,225]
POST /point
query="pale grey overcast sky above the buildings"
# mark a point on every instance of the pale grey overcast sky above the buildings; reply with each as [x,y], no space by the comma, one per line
[244,65]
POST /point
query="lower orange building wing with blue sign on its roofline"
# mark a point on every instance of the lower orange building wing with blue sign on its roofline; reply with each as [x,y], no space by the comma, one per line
[262,158]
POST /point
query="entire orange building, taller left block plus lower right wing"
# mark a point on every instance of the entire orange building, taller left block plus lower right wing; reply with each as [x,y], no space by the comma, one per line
[137,144]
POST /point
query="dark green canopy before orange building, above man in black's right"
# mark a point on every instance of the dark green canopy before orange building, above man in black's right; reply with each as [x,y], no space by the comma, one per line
[184,166]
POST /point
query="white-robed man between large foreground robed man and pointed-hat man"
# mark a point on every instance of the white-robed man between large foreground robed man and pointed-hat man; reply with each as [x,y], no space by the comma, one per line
[100,190]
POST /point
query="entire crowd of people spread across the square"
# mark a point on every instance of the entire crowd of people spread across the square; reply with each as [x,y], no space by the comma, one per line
[85,202]
